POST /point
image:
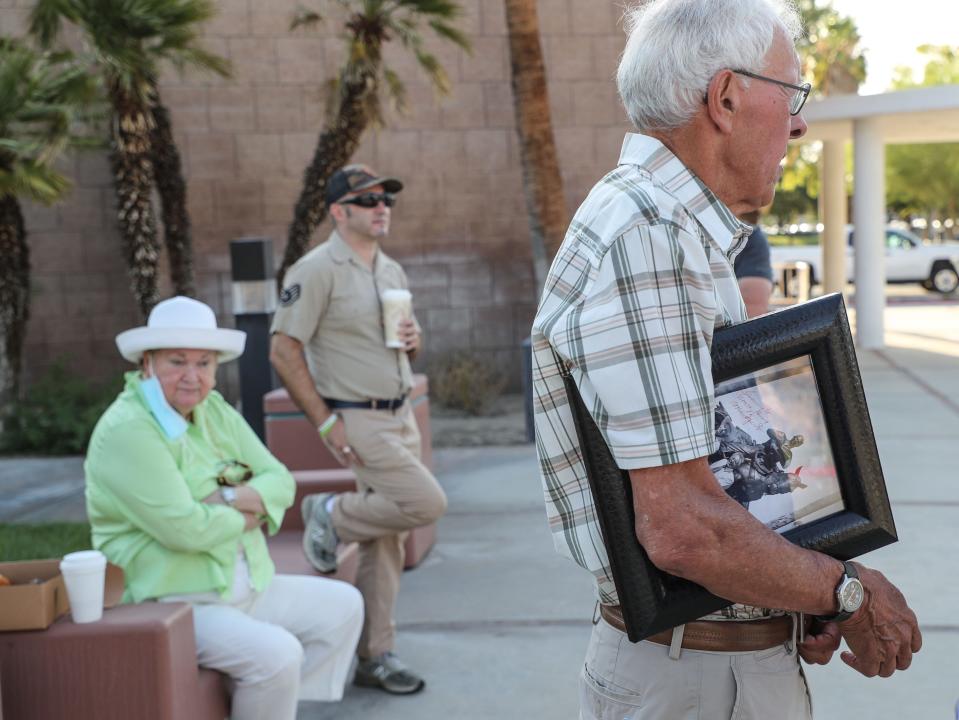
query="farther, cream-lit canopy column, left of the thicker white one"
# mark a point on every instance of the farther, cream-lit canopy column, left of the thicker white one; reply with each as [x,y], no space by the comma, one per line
[834,216]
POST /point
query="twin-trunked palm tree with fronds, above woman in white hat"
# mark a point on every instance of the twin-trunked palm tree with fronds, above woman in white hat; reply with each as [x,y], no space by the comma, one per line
[130,40]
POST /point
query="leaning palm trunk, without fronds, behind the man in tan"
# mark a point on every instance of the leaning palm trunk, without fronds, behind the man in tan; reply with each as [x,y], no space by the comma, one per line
[336,145]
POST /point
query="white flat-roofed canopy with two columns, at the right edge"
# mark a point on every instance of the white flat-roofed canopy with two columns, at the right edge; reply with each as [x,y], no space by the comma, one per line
[871,122]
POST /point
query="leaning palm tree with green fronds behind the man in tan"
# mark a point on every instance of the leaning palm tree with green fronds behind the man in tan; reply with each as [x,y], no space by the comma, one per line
[354,101]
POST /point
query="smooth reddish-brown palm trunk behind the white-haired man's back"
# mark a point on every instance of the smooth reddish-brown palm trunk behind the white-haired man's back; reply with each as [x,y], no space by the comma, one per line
[542,182]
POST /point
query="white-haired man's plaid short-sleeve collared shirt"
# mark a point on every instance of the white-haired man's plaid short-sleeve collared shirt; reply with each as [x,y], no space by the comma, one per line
[630,304]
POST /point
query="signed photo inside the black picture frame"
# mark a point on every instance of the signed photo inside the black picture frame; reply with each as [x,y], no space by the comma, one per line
[773,455]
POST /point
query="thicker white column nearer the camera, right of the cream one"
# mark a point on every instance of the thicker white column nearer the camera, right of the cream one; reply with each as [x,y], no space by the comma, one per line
[869,213]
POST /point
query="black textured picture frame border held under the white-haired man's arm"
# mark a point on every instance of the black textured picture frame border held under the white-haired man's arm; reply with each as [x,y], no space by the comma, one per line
[652,600]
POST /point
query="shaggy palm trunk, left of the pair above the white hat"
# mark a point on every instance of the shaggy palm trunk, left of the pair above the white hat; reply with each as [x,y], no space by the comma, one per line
[133,183]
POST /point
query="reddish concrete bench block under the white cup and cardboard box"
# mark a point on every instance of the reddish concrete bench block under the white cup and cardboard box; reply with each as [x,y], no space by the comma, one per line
[139,661]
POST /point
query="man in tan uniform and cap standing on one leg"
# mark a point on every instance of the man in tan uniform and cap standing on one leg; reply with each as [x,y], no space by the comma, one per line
[328,347]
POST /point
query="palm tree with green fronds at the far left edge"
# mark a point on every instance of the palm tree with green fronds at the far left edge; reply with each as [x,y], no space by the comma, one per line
[42,97]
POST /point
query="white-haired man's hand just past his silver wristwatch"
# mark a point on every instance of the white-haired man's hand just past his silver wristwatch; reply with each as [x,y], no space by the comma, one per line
[884,633]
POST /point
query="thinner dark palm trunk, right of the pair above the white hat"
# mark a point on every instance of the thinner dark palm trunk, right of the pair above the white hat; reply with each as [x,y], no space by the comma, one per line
[168,173]
